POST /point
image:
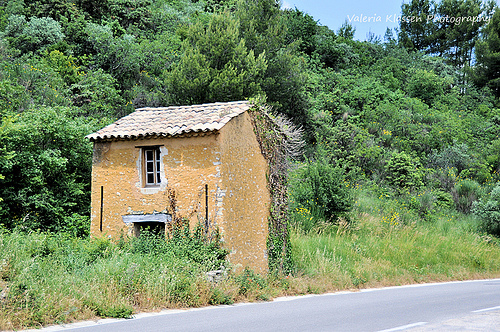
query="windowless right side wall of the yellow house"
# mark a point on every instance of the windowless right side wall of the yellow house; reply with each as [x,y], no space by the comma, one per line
[247,198]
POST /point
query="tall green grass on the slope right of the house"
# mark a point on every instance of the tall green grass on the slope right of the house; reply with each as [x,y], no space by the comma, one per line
[391,244]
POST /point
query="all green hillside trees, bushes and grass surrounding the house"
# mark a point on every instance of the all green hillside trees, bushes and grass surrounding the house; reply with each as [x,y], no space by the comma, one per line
[398,182]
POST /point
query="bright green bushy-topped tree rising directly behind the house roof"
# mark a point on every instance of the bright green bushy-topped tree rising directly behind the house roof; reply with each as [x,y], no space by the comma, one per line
[216,65]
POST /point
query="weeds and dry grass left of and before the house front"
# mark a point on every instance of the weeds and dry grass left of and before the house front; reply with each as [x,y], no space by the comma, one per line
[96,277]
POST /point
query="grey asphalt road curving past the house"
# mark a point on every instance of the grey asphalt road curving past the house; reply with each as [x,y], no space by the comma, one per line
[456,306]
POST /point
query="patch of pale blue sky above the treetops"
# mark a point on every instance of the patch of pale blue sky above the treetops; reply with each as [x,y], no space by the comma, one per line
[365,15]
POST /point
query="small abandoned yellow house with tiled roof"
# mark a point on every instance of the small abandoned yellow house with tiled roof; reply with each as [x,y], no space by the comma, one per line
[205,157]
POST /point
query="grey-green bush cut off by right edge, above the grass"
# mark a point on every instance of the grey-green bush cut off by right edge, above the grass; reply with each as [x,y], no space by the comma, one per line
[488,211]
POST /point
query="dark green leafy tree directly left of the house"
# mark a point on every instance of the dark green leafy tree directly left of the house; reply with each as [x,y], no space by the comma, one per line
[47,180]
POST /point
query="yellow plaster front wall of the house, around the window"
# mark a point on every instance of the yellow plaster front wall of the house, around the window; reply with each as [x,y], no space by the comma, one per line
[187,165]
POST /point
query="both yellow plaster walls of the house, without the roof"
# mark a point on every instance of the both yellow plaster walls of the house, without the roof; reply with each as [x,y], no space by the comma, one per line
[230,163]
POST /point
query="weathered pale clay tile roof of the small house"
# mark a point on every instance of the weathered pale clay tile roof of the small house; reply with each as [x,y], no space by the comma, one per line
[172,121]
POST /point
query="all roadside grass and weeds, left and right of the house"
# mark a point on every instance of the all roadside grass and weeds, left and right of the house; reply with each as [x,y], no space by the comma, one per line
[49,278]
